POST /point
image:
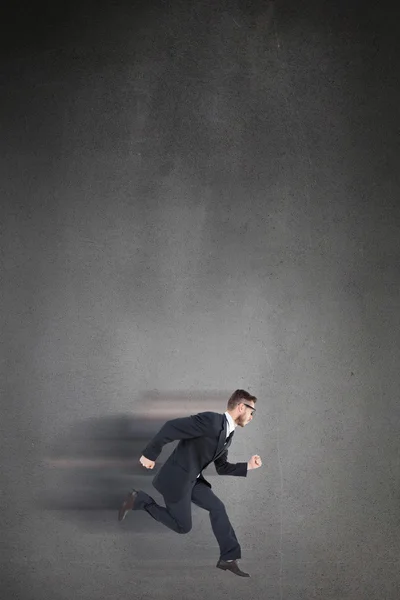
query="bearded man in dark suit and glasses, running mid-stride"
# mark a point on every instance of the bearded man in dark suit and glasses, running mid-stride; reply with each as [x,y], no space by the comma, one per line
[204,438]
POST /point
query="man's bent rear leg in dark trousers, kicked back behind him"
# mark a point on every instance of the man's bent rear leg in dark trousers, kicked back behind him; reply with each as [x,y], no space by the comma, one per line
[177,515]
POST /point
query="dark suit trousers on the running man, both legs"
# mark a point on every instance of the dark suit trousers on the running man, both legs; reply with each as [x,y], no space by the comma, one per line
[178,516]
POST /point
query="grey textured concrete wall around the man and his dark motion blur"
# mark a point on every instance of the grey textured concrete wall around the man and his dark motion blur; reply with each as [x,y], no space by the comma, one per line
[204,196]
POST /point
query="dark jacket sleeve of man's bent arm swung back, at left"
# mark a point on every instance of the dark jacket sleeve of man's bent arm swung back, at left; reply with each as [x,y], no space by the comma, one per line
[179,429]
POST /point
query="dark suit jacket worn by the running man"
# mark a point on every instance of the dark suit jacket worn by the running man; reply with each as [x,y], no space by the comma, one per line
[202,440]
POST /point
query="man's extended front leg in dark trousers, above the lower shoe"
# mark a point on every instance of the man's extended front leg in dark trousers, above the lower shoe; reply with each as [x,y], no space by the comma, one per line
[204,497]
